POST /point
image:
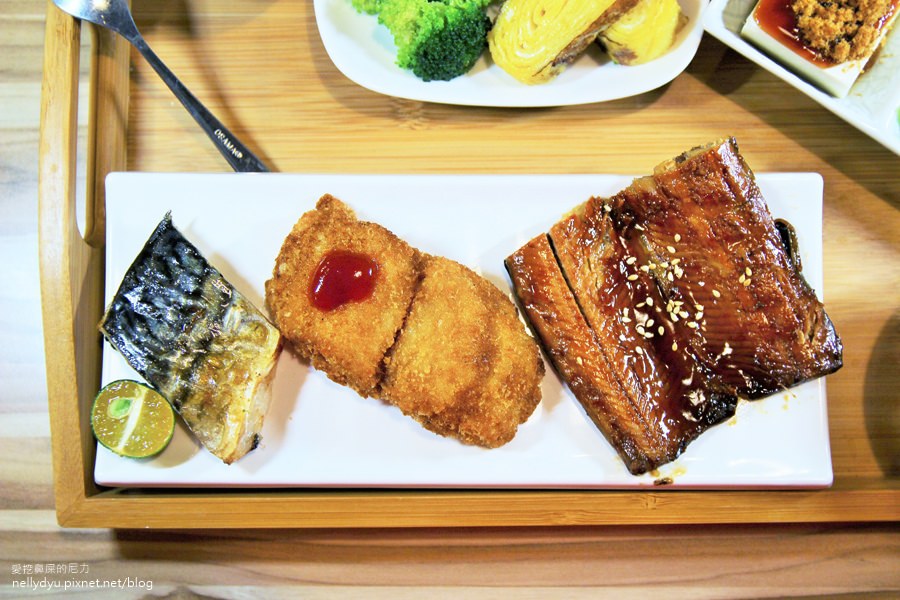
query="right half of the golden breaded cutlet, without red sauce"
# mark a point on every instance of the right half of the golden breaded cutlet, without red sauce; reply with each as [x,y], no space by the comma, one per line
[463,365]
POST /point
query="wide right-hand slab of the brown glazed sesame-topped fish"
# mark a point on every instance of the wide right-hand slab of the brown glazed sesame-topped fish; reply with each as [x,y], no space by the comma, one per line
[761,328]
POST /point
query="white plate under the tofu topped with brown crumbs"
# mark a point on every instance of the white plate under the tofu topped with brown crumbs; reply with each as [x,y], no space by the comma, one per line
[873,104]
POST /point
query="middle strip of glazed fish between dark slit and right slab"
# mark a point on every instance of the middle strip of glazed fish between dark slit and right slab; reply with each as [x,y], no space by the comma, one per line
[616,291]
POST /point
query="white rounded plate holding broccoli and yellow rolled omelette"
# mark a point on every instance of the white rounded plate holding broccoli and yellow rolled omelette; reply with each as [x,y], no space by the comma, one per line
[364,51]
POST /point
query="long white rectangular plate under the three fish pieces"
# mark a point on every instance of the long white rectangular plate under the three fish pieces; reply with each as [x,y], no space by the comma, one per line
[318,433]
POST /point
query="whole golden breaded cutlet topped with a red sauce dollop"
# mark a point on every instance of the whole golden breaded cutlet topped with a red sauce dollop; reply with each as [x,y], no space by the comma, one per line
[424,333]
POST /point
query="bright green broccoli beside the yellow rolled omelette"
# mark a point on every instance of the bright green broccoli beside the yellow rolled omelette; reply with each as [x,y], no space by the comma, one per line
[435,39]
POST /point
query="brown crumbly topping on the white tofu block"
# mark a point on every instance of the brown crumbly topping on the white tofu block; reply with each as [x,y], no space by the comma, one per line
[841,30]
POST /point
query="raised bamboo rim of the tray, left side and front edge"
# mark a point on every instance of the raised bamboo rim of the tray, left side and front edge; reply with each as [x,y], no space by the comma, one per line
[72,267]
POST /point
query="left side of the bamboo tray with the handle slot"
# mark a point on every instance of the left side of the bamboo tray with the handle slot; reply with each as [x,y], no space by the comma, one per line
[71,263]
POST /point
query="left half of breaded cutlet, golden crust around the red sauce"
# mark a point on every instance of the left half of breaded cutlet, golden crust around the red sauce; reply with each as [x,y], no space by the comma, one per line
[349,343]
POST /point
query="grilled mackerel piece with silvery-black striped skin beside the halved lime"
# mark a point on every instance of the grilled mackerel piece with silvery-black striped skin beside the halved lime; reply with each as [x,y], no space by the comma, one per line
[196,339]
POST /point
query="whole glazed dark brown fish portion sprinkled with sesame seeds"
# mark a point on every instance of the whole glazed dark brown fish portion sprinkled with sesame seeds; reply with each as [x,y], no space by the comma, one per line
[664,304]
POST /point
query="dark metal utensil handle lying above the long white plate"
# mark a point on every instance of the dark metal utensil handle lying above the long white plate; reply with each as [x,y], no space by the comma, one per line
[236,153]
